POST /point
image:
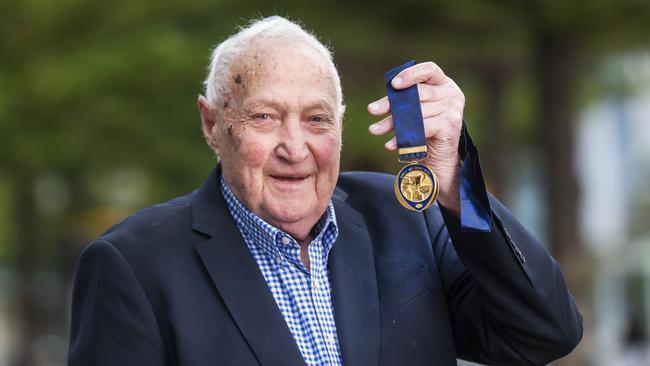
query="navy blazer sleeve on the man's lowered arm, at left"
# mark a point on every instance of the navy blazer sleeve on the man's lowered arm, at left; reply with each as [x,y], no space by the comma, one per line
[112,320]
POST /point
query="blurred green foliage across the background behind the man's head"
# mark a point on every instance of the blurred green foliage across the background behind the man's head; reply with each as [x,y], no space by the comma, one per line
[90,88]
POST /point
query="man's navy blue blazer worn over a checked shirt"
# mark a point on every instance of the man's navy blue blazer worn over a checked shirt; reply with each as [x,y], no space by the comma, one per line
[176,285]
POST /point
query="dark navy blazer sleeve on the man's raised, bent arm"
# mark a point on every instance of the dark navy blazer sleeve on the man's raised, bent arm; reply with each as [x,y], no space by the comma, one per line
[507,297]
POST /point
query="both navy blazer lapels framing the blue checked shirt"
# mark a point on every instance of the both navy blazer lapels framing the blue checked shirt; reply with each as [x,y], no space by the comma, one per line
[240,283]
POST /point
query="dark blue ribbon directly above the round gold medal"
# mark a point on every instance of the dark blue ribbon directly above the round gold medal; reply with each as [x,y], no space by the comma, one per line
[407,115]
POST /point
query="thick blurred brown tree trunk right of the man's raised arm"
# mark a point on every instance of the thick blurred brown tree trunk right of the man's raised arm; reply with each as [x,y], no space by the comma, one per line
[557,69]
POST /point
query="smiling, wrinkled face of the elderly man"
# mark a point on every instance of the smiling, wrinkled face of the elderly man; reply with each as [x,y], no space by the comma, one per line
[278,134]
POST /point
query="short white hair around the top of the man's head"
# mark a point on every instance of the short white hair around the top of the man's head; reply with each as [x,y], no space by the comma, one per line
[274,28]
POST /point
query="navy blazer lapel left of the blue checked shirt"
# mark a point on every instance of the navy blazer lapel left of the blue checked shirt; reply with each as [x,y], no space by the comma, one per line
[239,281]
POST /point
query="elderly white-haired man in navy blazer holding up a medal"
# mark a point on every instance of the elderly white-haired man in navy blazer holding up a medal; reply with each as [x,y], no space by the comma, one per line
[279,260]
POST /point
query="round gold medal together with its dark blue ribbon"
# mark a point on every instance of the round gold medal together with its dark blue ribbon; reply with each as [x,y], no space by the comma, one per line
[416,186]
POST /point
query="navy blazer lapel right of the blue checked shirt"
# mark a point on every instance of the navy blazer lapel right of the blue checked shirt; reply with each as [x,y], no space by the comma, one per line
[354,289]
